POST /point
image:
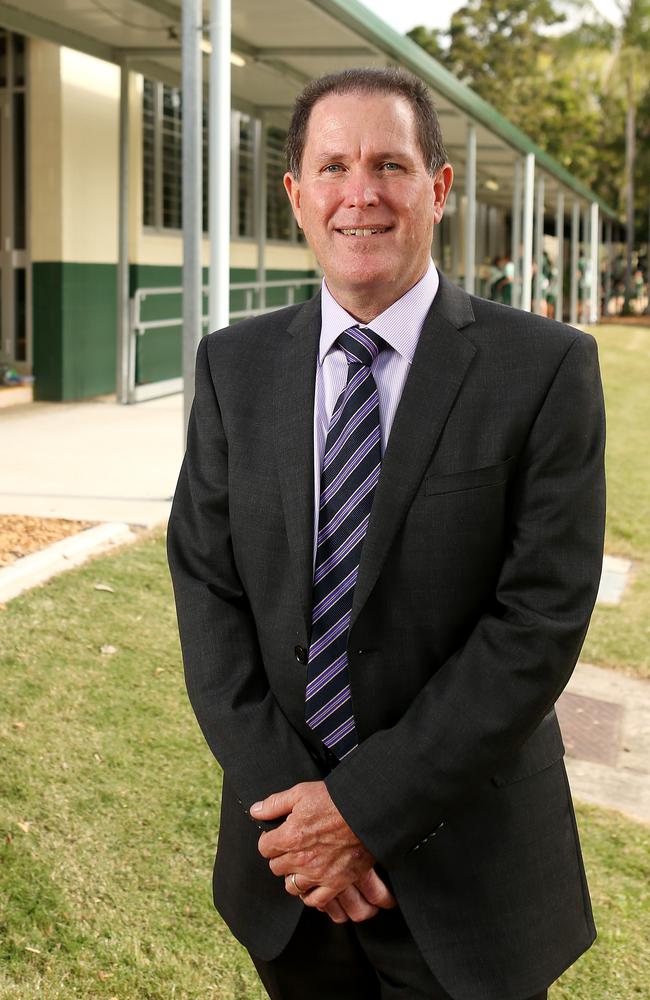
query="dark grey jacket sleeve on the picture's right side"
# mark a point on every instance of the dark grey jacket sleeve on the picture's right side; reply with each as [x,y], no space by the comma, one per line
[481,706]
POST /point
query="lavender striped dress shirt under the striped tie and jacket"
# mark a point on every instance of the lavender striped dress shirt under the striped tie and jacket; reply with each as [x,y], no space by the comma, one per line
[400,326]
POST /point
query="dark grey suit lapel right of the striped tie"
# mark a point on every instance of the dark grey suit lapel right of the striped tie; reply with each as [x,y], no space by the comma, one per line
[439,366]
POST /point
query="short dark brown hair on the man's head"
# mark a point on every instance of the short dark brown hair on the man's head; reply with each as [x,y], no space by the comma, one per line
[369,81]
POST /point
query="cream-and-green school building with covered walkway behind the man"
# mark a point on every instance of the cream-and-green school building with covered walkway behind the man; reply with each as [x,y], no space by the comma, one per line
[91,156]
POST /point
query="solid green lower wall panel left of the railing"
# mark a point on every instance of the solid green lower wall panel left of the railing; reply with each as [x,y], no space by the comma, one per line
[74,324]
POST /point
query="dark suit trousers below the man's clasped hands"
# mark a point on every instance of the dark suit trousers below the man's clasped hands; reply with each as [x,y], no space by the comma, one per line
[373,960]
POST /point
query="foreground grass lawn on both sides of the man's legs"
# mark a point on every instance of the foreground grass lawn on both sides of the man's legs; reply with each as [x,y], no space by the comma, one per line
[110,811]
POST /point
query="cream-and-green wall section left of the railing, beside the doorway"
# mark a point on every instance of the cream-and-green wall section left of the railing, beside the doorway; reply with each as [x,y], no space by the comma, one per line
[73,130]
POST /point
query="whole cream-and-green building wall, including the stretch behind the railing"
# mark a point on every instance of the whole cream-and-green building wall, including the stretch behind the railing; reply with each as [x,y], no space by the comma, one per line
[73,127]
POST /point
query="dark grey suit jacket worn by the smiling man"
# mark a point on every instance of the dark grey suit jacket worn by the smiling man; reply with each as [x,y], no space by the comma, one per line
[477,580]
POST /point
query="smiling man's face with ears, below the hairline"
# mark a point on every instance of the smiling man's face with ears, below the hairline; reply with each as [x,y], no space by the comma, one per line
[364,199]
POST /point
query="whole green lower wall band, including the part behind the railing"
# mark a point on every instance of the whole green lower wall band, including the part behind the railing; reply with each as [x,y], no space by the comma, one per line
[75,324]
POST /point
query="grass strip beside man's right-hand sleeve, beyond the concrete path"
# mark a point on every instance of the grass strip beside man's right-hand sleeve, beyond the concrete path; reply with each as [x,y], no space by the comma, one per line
[620,636]
